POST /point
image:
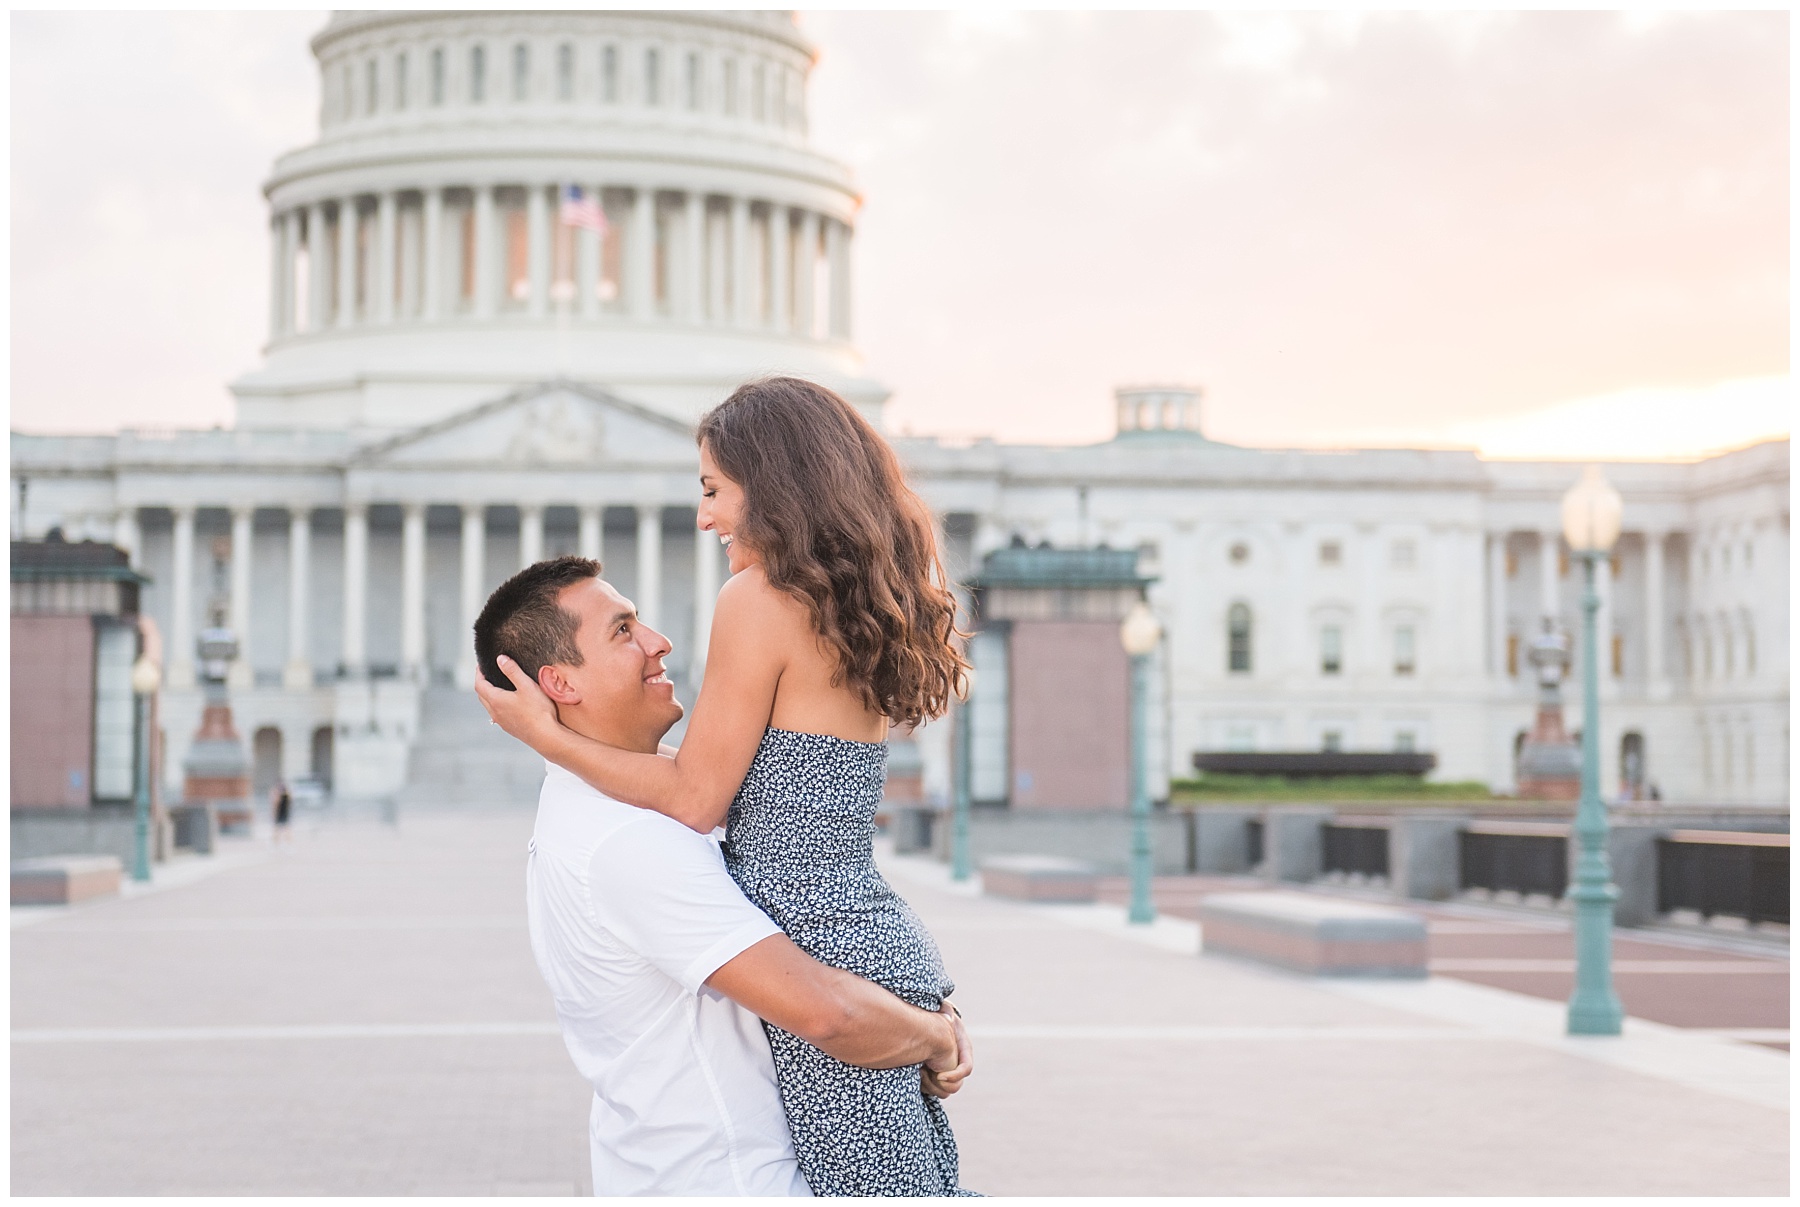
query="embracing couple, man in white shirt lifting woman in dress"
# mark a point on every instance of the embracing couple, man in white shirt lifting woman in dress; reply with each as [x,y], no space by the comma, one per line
[762,1014]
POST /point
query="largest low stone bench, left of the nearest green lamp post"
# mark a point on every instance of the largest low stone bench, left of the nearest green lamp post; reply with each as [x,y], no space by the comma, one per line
[1313,934]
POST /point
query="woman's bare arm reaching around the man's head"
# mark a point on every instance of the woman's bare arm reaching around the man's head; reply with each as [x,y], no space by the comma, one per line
[697,785]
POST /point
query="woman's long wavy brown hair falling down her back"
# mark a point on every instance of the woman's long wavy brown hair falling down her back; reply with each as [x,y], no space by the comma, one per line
[838,528]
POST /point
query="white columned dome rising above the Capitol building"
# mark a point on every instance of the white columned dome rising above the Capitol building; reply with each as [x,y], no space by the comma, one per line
[420,264]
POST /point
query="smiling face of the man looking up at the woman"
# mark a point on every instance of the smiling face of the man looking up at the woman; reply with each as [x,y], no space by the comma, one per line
[622,681]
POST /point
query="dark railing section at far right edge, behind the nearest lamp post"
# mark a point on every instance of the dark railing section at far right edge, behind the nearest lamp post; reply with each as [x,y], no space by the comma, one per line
[1729,873]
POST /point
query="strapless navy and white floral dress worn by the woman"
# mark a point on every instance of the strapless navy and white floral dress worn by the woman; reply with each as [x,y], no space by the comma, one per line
[798,843]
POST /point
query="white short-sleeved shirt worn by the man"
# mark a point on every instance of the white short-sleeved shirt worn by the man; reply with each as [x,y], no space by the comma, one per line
[631,913]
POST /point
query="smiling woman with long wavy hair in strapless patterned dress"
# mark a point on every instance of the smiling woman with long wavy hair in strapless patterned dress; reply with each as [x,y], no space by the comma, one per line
[834,625]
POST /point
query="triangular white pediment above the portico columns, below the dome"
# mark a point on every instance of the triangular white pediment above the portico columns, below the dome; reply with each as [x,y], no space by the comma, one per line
[555,425]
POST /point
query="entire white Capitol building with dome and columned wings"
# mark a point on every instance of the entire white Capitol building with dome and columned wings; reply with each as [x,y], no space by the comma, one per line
[458,384]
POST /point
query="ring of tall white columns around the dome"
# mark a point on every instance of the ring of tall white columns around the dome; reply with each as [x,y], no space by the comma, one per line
[679,256]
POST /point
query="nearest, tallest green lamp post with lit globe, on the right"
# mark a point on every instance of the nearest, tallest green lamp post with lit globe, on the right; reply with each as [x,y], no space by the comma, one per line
[1590,526]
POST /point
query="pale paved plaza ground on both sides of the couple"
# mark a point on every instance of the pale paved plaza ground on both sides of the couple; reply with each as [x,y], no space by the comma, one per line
[357,1012]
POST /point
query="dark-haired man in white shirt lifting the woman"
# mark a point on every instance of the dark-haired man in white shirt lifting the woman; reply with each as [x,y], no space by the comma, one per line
[658,965]
